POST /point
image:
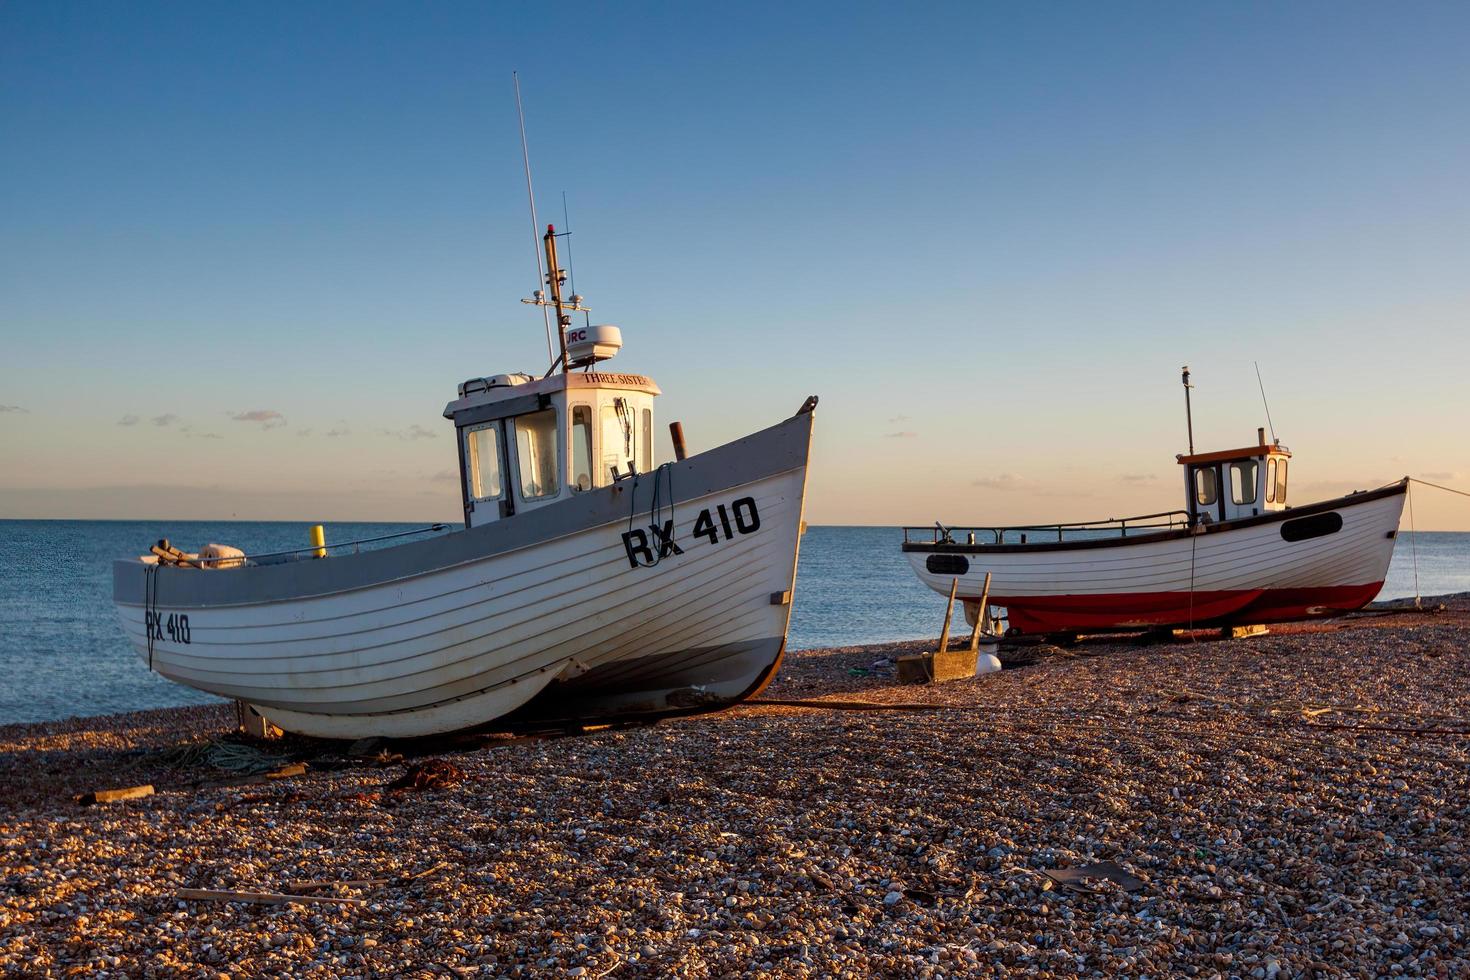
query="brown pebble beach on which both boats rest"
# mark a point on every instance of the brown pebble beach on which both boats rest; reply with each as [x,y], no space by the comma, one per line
[1291,806]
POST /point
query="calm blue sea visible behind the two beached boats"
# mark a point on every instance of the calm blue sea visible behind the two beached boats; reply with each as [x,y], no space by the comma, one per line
[62,653]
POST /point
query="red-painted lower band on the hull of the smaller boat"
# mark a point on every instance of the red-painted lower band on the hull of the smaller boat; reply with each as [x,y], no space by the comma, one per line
[1133,610]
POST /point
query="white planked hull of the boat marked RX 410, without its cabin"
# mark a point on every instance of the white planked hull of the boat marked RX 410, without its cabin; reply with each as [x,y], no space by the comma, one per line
[567,612]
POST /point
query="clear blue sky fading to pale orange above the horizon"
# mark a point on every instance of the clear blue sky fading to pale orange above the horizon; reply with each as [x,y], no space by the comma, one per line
[248,251]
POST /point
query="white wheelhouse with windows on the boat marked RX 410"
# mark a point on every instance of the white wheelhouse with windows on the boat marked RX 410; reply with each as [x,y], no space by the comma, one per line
[526,443]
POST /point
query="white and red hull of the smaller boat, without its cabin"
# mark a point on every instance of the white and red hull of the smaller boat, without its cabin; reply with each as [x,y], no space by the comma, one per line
[1303,563]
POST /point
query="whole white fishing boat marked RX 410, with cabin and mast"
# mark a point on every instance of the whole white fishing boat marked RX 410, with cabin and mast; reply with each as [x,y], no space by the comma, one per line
[586,586]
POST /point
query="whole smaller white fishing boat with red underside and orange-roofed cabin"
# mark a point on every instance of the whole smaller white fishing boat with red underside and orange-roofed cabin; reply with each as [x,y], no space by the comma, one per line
[1238,555]
